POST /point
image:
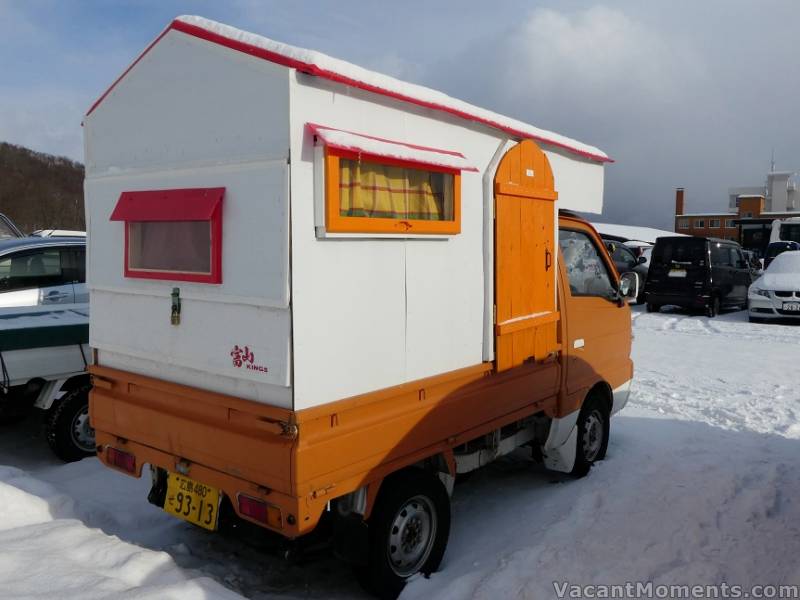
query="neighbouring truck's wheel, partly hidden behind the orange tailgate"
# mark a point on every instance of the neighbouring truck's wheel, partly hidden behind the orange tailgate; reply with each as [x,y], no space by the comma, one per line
[69,433]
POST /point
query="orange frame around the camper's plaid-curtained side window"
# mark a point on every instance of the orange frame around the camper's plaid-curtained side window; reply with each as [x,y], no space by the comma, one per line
[336,223]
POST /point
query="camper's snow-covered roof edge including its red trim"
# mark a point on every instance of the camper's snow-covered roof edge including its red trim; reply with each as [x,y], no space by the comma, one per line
[322,65]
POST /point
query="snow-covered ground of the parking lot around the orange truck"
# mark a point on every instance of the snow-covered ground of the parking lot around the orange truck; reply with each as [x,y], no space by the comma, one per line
[700,486]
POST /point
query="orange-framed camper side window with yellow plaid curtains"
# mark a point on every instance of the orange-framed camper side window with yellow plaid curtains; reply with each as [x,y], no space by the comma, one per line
[380,195]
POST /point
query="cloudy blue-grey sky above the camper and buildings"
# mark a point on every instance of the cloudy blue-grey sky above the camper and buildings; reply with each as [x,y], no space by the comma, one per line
[692,93]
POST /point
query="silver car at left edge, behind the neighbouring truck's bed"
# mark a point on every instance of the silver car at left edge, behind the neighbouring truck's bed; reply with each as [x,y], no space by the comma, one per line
[36,271]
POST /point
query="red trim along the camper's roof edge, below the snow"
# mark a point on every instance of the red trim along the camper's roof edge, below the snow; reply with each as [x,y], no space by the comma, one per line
[313,69]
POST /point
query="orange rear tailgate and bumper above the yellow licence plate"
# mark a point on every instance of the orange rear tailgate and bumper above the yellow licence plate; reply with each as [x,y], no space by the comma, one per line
[239,447]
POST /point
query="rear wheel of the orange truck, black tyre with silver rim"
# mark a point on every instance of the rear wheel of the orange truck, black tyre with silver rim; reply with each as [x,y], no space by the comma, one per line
[408,501]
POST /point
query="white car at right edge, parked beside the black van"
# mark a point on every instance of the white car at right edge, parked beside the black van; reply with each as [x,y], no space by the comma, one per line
[776,294]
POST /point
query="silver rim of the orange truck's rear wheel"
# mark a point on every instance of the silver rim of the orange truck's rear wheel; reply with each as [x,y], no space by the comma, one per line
[411,536]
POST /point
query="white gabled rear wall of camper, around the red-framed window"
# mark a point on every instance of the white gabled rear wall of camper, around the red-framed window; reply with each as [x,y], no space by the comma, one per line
[194,114]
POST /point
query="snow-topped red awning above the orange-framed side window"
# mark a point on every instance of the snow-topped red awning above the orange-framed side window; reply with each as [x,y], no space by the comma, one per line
[376,146]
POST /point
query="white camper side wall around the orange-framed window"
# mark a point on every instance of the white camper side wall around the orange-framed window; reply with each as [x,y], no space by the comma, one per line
[373,313]
